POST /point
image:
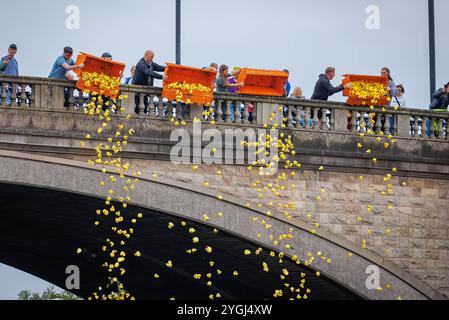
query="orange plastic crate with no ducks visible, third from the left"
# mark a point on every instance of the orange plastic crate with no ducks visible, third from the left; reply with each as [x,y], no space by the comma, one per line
[262,82]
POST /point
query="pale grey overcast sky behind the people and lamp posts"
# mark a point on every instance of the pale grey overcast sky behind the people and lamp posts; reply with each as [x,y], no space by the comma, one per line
[300,35]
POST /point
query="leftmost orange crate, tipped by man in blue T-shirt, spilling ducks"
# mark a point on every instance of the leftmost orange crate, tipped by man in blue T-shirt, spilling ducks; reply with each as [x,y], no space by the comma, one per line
[101,66]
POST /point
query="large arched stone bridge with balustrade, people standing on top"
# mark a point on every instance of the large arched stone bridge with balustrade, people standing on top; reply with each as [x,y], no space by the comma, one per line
[44,172]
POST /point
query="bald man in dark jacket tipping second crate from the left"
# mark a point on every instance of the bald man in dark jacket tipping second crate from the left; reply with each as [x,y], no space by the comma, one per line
[146,72]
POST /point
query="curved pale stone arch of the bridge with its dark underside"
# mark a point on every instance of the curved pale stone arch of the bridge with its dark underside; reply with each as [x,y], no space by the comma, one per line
[190,203]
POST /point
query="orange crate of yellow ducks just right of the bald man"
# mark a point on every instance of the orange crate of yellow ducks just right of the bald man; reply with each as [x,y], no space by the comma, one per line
[190,75]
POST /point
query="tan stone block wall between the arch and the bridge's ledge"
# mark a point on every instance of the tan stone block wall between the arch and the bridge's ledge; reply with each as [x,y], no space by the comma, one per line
[413,233]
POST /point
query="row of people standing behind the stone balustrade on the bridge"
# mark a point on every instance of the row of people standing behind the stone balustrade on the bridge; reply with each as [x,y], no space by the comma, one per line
[146,71]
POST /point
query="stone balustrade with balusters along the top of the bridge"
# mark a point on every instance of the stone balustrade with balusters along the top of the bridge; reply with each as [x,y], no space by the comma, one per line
[43,93]
